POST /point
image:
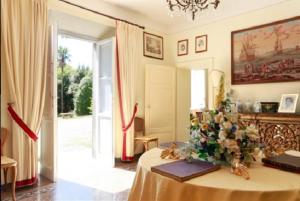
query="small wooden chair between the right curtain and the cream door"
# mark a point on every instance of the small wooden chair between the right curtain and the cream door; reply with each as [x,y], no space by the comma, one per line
[139,127]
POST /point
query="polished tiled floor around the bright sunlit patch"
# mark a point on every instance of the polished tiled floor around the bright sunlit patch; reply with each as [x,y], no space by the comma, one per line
[64,190]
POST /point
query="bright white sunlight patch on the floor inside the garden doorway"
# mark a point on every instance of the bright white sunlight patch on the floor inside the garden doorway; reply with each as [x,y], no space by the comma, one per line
[89,172]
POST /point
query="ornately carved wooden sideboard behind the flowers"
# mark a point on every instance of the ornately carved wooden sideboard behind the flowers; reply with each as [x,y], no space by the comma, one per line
[275,129]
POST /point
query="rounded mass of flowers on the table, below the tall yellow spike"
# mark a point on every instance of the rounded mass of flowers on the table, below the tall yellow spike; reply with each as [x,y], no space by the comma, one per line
[218,138]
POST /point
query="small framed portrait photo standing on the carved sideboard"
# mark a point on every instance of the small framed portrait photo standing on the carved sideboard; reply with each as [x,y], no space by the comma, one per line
[288,103]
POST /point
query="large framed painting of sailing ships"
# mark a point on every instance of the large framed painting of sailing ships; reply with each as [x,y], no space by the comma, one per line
[266,53]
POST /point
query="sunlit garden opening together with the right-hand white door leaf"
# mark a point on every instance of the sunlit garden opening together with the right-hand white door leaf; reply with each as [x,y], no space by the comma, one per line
[85,129]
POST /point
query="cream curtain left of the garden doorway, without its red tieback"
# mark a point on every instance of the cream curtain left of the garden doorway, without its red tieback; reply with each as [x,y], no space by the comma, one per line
[24,50]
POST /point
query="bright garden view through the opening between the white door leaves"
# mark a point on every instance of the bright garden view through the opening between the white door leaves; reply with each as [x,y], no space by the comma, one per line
[74,86]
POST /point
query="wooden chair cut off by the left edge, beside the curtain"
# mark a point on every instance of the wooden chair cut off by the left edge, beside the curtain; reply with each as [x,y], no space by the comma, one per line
[7,163]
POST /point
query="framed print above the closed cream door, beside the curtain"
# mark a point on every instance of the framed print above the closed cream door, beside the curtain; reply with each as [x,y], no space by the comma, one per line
[153,46]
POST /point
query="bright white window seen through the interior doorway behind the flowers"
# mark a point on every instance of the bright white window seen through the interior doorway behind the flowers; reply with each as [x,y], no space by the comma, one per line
[198,89]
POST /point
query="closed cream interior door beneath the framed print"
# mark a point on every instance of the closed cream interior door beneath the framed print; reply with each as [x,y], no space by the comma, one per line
[160,102]
